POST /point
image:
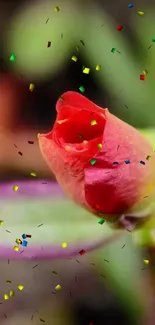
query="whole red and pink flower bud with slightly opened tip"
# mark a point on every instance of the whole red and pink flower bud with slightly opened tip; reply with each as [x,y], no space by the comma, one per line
[100,161]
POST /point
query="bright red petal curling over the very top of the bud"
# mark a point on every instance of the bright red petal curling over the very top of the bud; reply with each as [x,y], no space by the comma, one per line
[75,99]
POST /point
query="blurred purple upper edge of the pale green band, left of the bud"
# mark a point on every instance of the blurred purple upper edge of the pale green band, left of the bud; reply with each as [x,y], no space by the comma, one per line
[38,188]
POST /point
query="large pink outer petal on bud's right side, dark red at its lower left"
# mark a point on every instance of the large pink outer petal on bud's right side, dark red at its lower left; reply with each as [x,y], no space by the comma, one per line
[113,189]
